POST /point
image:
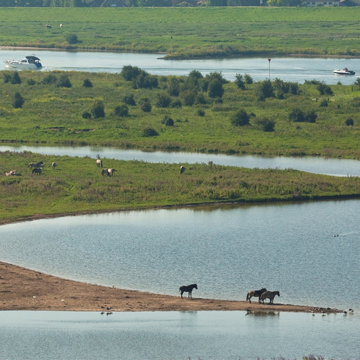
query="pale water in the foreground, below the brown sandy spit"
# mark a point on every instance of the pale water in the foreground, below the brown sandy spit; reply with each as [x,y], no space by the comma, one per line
[176,335]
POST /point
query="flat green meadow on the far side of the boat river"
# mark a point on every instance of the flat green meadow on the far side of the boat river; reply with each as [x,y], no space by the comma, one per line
[196,32]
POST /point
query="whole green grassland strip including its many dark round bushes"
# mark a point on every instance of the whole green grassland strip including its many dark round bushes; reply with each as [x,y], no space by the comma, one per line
[189,113]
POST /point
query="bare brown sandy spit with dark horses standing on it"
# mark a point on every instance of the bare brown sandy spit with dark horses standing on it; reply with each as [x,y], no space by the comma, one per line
[25,289]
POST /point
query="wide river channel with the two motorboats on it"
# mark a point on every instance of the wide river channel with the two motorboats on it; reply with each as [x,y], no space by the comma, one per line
[287,69]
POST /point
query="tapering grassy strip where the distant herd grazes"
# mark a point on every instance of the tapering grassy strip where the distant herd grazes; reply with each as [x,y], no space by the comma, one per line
[77,186]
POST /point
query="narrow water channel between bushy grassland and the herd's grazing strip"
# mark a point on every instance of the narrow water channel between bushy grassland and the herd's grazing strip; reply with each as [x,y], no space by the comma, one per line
[335,167]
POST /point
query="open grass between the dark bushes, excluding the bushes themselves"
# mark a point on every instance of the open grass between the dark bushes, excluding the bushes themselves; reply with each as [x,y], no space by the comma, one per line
[52,115]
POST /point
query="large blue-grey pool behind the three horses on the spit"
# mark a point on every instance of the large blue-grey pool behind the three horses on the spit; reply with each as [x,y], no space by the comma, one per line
[293,248]
